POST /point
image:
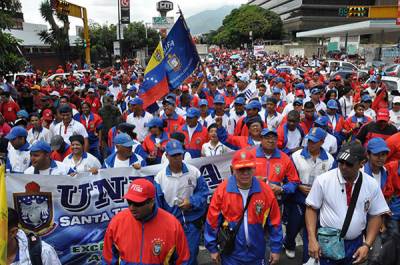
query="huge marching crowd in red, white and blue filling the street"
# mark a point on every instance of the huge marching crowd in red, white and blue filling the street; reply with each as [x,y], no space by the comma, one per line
[303,138]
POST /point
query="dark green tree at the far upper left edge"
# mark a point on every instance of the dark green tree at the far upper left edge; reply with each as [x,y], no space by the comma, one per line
[11,59]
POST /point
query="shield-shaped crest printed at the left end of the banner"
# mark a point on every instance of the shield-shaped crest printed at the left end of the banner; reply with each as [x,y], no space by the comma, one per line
[35,208]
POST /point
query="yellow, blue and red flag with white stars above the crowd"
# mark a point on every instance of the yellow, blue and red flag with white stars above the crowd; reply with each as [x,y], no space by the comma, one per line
[155,84]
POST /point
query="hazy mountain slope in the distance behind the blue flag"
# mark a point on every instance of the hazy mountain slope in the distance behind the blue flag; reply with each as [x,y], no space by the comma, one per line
[208,20]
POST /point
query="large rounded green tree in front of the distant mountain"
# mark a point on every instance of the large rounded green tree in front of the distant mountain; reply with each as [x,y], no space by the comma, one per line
[236,26]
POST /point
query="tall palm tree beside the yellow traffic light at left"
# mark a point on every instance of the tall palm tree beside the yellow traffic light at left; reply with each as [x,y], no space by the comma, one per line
[56,36]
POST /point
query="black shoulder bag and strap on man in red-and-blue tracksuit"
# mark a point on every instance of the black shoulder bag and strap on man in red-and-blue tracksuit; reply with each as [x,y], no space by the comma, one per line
[226,236]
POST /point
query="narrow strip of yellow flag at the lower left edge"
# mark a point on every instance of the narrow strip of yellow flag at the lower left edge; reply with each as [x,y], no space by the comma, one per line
[3,217]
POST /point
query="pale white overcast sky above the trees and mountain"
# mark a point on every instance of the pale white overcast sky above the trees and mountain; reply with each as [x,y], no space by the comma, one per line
[106,11]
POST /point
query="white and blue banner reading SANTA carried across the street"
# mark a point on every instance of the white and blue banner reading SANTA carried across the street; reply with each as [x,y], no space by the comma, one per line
[72,213]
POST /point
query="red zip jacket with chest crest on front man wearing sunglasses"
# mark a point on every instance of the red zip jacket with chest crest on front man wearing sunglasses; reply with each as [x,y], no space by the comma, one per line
[159,240]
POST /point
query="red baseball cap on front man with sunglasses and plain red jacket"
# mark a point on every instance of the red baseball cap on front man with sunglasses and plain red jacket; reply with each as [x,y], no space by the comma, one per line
[140,190]
